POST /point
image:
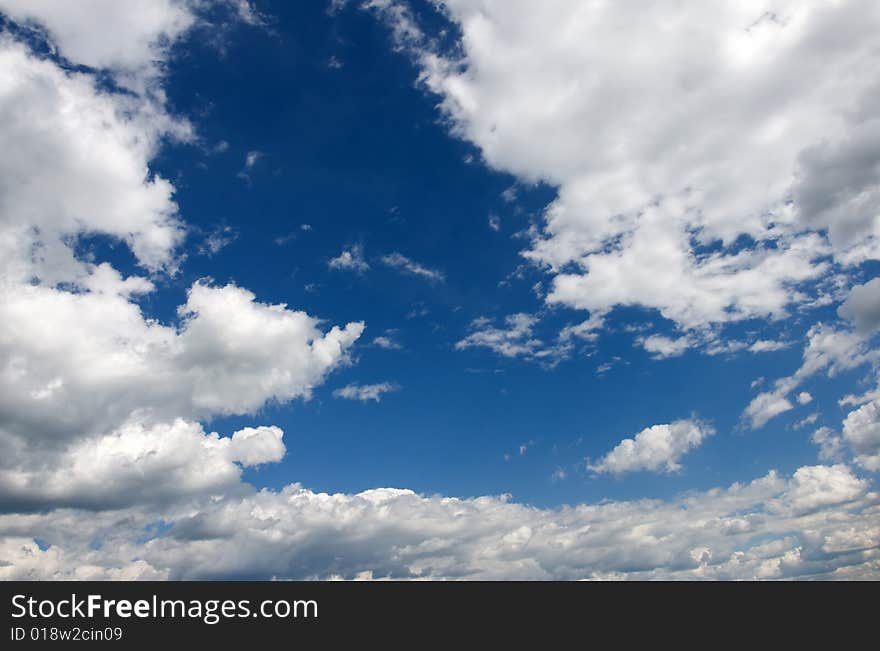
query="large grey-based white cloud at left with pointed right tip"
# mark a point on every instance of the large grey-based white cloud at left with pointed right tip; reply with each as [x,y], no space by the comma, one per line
[101,405]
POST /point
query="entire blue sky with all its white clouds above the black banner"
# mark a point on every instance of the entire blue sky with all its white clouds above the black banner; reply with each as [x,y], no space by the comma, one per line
[465,289]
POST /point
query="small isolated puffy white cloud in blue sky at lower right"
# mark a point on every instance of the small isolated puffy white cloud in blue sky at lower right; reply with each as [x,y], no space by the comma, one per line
[658,448]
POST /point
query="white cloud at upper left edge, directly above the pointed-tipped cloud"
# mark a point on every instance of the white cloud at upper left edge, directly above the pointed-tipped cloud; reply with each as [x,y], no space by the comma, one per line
[81,167]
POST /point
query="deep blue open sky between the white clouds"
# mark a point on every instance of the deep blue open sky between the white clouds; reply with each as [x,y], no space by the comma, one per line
[359,153]
